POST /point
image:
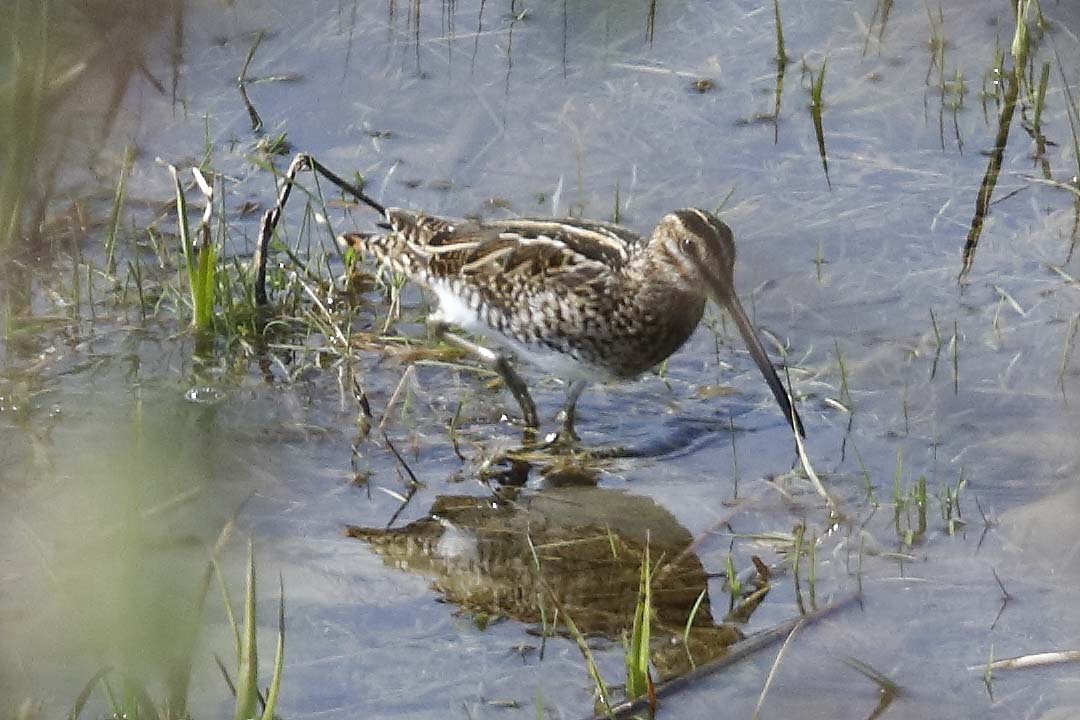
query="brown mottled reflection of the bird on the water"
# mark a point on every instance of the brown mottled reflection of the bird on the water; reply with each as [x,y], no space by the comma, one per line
[589,544]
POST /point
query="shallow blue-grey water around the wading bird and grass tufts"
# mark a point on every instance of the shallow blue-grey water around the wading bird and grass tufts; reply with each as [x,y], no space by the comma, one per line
[113,481]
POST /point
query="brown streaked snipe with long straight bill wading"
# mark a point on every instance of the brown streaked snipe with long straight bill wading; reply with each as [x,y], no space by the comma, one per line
[586,301]
